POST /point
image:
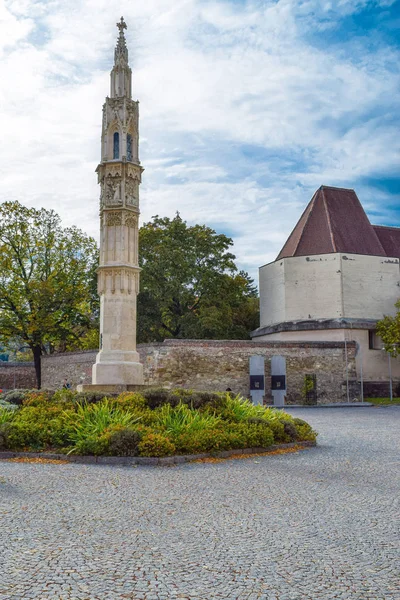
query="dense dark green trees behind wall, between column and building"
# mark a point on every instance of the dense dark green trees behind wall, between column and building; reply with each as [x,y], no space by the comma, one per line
[190,286]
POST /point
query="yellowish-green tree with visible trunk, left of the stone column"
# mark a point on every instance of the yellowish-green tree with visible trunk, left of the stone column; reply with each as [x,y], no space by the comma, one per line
[47,273]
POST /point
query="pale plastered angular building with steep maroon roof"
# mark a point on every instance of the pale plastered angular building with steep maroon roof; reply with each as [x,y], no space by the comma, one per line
[335,277]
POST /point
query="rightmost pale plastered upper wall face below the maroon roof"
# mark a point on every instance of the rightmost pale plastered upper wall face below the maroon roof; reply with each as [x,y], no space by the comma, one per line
[371,286]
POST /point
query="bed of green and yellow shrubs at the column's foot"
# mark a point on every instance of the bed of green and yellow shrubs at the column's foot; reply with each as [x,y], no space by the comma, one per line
[155,423]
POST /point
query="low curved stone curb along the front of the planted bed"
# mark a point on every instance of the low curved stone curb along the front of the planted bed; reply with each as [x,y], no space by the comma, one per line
[129,461]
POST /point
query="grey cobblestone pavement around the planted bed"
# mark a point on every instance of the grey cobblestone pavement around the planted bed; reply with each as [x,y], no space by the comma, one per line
[315,525]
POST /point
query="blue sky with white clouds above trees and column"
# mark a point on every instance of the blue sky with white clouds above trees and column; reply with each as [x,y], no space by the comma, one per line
[246,108]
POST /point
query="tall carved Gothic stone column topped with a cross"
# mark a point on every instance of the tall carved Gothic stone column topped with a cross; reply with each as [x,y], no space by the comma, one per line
[119,175]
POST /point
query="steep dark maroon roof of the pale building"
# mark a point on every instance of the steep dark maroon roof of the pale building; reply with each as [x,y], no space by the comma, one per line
[335,221]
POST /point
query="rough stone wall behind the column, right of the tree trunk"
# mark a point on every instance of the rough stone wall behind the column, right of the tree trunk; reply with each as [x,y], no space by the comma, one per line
[218,364]
